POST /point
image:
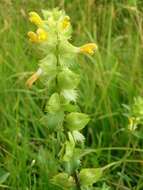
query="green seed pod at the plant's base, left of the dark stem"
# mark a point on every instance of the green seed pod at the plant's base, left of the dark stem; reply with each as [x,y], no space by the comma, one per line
[64,181]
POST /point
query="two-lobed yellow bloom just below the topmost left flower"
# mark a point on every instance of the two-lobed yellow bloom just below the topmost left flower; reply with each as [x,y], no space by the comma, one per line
[40,36]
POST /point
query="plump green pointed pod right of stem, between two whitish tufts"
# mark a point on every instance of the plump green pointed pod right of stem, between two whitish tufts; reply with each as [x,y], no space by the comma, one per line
[76,121]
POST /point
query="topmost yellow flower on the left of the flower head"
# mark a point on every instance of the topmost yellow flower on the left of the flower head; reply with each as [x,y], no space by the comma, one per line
[35,19]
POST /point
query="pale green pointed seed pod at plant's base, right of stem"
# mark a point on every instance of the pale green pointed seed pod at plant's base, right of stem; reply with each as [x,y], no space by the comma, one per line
[88,176]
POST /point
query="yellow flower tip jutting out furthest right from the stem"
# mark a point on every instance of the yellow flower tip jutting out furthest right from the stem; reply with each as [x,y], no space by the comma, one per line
[89,48]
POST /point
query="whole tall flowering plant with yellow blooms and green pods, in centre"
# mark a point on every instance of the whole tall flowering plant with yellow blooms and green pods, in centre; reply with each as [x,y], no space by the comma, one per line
[63,115]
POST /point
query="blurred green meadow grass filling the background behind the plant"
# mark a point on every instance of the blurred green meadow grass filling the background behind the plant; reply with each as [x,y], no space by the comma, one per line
[114,76]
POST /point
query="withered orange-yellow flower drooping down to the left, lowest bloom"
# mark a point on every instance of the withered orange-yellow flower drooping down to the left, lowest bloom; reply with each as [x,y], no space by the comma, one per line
[33,78]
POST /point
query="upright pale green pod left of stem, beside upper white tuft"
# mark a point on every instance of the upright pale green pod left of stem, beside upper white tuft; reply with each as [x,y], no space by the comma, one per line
[53,103]
